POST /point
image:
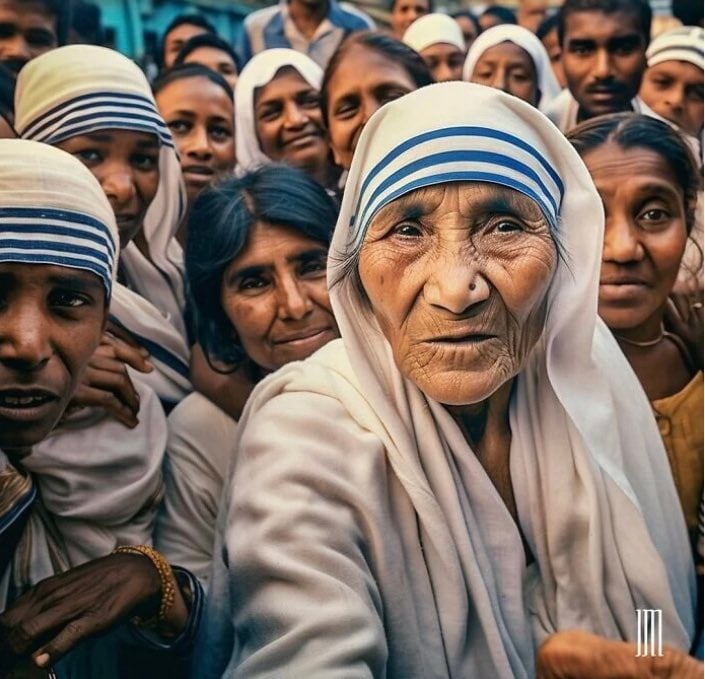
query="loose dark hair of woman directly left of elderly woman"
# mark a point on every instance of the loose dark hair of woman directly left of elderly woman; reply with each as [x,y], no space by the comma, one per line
[221,221]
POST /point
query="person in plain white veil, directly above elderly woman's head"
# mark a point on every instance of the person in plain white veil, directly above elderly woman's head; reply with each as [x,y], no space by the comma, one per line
[484,68]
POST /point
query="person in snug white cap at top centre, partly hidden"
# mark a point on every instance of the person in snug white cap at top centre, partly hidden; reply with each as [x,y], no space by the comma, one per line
[440,42]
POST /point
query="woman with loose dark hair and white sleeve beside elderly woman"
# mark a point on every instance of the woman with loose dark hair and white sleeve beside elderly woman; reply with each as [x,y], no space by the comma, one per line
[256,269]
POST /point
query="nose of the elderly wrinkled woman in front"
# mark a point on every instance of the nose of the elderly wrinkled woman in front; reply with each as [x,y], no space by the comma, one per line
[456,285]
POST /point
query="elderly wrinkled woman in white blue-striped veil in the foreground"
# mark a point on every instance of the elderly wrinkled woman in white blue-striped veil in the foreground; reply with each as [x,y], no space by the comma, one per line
[473,466]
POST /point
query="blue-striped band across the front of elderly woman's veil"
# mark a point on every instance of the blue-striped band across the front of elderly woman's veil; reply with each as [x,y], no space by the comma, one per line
[455,154]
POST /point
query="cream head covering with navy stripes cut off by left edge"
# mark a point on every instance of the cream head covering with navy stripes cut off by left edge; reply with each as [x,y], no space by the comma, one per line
[53,211]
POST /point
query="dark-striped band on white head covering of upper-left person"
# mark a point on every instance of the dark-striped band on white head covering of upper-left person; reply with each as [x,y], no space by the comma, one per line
[97,111]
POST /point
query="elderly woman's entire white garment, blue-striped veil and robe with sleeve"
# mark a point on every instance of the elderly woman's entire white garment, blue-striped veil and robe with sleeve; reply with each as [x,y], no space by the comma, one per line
[361,537]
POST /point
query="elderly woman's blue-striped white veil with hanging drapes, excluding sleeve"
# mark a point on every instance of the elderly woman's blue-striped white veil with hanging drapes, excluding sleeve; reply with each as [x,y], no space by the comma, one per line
[592,484]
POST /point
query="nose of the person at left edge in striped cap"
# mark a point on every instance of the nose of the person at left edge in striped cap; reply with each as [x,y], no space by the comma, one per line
[24,337]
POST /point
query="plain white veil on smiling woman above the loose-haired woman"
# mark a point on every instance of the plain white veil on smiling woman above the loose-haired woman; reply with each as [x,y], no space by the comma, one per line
[259,71]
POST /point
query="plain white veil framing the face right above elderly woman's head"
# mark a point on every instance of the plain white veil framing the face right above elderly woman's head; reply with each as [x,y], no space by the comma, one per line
[525,39]
